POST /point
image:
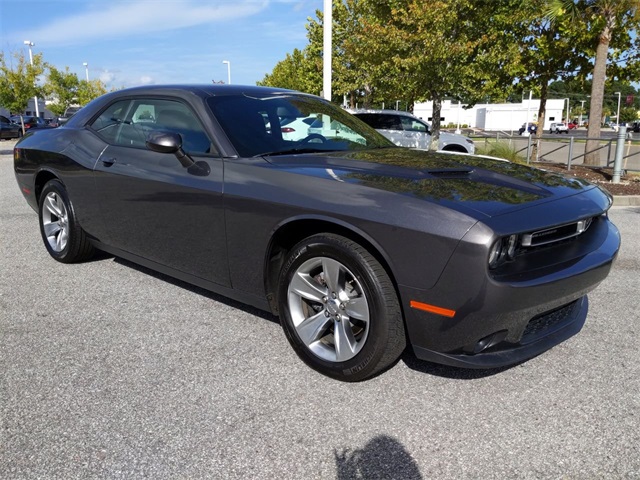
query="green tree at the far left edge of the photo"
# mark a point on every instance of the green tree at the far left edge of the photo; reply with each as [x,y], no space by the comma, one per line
[18,80]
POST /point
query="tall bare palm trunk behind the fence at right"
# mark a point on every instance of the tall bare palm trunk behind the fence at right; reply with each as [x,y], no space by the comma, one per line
[597,98]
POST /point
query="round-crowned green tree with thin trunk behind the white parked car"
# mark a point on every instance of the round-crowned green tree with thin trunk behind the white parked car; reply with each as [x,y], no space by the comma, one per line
[419,50]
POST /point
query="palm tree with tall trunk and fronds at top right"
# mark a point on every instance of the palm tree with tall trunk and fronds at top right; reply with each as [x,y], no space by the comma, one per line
[608,26]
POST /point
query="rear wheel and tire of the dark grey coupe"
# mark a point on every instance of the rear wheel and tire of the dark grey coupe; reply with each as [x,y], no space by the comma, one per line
[63,237]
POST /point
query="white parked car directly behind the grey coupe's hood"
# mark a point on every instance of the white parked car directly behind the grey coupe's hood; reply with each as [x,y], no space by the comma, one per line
[407,130]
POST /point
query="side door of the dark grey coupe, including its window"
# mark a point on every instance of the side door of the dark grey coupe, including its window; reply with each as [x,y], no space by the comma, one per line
[151,205]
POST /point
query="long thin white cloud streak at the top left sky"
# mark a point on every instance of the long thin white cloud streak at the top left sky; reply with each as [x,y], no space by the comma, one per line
[140,17]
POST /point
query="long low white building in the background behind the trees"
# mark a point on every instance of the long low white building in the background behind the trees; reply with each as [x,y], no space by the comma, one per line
[494,116]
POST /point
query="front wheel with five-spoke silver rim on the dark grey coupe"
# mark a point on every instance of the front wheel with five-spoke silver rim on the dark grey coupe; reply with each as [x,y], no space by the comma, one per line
[364,311]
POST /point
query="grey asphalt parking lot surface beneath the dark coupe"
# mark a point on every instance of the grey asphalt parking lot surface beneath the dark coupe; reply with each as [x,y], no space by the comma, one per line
[111,371]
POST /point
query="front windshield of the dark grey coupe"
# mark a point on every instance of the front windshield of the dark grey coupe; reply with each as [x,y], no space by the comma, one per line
[290,123]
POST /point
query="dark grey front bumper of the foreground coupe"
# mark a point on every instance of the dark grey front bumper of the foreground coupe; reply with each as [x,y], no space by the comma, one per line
[502,320]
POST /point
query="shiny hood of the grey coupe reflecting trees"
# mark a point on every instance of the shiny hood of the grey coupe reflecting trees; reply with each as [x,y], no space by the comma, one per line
[462,182]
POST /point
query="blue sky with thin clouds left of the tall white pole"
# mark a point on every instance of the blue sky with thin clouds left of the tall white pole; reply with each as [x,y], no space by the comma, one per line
[136,42]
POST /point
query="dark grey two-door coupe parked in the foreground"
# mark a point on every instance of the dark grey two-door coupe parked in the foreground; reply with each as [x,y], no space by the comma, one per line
[356,244]
